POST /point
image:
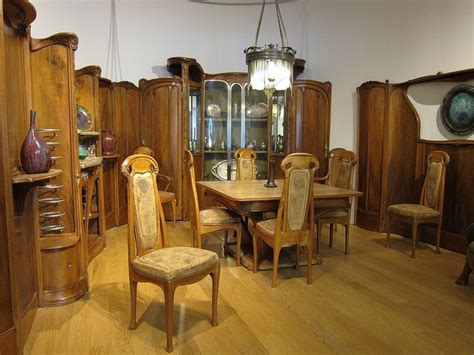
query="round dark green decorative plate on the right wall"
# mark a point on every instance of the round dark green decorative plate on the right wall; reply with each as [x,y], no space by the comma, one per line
[458,110]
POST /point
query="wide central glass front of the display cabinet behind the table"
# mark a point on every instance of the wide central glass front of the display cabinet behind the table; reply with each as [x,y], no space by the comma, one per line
[235,116]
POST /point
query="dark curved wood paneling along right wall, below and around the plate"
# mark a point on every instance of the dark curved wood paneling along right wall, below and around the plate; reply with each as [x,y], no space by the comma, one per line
[392,161]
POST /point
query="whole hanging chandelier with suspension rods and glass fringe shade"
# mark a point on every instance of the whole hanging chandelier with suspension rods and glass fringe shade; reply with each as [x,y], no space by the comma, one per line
[270,67]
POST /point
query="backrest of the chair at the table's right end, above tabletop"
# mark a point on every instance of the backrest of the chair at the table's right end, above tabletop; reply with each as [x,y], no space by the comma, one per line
[341,168]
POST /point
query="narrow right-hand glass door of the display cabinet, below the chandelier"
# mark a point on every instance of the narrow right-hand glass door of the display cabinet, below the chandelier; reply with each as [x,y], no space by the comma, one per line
[278,123]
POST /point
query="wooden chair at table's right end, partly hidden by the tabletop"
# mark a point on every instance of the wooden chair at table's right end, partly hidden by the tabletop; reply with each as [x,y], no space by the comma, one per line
[341,168]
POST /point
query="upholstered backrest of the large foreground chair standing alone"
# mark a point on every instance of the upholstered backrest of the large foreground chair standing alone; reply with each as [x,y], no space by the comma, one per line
[146,221]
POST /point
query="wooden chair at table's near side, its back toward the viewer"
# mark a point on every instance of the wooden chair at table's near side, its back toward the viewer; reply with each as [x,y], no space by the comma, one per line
[294,223]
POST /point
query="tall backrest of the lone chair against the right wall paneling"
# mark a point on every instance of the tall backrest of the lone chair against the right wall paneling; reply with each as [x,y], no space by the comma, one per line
[432,194]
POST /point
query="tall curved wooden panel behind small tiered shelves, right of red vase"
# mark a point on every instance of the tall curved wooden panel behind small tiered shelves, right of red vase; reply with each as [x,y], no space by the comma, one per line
[52,78]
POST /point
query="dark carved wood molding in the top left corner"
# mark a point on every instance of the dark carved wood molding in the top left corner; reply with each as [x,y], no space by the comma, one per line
[19,15]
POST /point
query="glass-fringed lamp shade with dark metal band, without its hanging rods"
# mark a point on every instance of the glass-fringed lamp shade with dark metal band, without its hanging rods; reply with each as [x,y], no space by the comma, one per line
[270,68]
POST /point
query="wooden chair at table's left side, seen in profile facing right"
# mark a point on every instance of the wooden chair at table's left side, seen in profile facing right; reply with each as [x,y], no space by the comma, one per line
[211,219]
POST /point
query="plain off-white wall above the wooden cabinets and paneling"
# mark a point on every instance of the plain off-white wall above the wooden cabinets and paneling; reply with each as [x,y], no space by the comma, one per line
[343,41]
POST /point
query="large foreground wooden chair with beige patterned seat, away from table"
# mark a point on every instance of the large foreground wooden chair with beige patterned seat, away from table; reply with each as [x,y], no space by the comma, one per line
[150,259]
